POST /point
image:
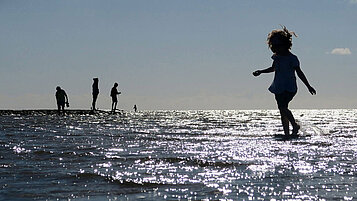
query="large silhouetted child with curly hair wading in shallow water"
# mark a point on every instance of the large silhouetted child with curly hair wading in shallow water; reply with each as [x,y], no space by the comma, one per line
[284,86]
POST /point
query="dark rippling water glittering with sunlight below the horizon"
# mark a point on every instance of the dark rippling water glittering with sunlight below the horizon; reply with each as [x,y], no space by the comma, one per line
[157,155]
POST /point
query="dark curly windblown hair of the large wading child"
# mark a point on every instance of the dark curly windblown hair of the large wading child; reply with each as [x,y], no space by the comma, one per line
[283,35]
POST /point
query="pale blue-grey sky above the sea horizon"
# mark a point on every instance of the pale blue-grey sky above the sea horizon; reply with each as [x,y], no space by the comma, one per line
[166,54]
